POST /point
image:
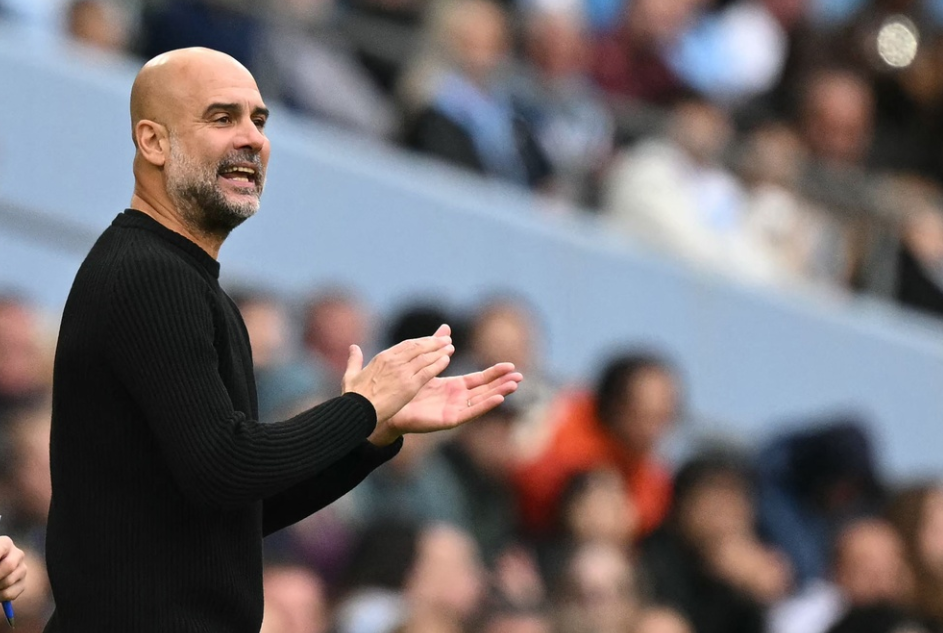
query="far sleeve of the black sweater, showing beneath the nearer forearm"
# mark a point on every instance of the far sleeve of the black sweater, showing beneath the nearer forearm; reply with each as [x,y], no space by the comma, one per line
[314,493]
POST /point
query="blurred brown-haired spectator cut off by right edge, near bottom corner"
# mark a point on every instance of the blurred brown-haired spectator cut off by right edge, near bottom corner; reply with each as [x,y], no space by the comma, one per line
[917,512]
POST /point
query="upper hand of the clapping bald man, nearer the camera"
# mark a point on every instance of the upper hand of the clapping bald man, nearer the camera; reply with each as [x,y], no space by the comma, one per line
[396,375]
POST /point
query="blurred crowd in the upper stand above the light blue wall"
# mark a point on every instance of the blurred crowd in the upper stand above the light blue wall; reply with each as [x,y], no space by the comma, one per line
[789,142]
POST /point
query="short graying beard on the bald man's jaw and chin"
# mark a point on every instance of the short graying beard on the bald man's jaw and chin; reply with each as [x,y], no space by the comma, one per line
[193,188]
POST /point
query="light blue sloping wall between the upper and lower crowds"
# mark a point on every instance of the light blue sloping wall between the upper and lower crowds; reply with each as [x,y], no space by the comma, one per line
[343,209]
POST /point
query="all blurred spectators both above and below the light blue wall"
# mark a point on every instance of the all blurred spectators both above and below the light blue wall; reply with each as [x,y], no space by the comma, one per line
[786,142]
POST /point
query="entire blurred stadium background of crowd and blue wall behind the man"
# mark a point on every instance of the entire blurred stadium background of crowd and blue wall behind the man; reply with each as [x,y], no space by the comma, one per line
[710,233]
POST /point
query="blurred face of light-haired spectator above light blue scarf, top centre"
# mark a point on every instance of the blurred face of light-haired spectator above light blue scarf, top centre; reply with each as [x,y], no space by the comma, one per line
[477,36]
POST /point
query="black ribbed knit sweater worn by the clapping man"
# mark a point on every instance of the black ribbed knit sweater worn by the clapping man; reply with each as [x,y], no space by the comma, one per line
[163,481]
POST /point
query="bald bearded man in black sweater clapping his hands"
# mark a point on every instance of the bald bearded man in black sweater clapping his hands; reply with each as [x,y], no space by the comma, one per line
[164,483]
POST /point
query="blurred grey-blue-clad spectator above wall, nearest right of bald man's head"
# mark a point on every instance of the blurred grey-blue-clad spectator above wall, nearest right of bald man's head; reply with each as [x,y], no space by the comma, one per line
[311,69]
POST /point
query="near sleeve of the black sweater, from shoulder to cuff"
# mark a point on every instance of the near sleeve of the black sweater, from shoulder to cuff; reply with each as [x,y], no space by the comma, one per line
[161,346]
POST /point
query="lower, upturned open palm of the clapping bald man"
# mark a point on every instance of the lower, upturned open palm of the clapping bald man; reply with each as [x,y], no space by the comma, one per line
[443,403]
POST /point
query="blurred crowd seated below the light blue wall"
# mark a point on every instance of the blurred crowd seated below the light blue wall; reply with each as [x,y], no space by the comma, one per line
[559,512]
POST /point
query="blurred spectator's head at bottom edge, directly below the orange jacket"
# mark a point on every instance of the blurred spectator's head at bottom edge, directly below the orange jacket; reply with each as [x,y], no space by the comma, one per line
[598,592]
